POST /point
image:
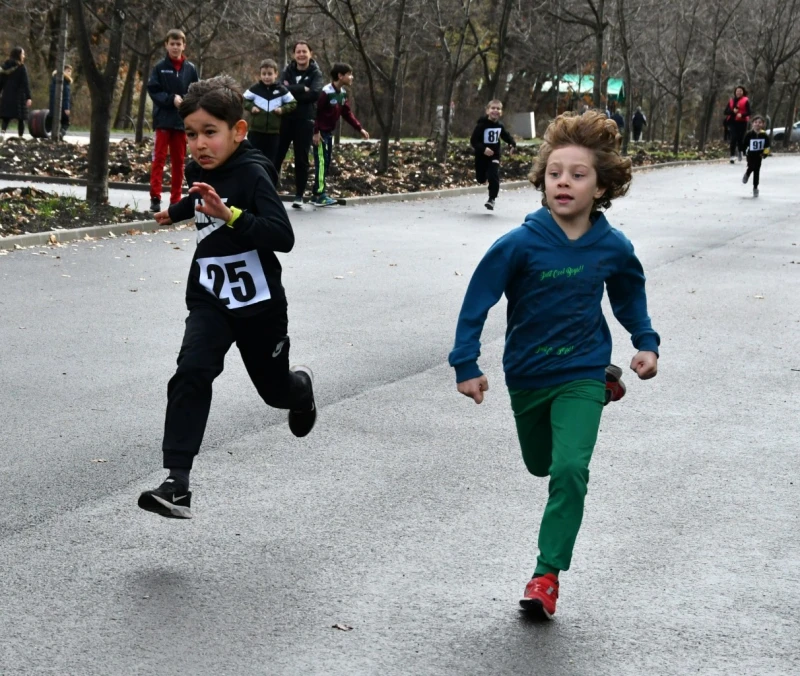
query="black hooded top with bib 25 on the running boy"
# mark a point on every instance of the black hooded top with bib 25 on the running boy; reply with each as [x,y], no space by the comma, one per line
[235,268]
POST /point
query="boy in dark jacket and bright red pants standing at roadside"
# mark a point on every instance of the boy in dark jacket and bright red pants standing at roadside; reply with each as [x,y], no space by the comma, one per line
[168,84]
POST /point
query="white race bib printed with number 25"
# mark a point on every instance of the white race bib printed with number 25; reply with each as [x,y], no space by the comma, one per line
[237,280]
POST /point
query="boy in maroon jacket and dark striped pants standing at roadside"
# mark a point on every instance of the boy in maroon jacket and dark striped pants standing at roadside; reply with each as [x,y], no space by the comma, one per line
[332,105]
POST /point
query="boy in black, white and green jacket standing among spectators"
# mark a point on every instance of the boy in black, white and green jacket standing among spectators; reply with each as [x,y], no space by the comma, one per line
[270,101]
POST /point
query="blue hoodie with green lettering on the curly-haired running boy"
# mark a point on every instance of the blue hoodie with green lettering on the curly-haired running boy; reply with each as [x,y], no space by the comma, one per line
[556,330]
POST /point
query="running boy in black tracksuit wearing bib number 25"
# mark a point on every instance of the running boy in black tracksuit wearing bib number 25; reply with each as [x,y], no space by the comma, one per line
[234,292]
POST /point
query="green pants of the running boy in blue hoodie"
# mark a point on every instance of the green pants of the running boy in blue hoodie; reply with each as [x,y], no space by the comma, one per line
[557,428]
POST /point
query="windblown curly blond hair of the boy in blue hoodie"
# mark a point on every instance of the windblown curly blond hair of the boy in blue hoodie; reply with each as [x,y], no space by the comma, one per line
[594,131]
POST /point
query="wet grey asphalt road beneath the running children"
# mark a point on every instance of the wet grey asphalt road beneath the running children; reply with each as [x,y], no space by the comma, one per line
[407,514]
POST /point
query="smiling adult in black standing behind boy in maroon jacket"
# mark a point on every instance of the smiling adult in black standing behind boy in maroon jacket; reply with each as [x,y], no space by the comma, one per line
[304,81]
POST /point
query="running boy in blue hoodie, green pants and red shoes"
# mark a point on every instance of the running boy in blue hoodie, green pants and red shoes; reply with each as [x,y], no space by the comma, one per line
[552,270]
